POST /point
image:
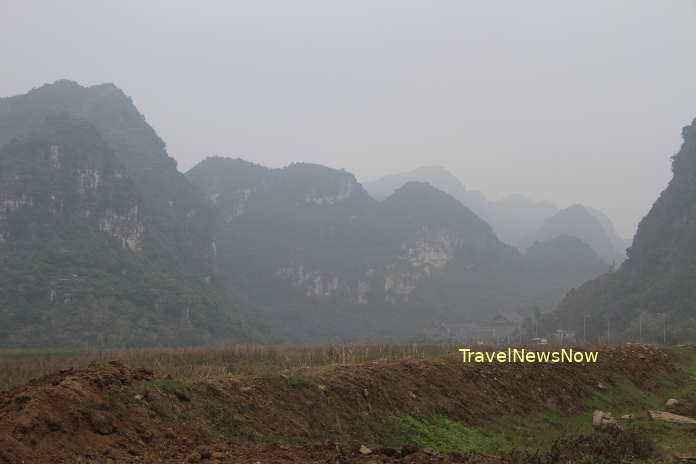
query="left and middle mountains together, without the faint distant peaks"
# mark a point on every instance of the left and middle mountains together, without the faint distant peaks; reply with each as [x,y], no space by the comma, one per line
[104,243]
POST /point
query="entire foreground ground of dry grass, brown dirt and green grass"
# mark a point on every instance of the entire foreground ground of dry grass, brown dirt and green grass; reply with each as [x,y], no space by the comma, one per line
[282,404]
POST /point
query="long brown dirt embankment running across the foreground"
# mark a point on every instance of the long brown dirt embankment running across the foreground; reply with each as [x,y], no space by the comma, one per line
[111,413]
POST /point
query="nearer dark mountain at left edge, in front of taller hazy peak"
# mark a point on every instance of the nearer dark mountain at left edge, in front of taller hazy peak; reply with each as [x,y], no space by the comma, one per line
[77,260]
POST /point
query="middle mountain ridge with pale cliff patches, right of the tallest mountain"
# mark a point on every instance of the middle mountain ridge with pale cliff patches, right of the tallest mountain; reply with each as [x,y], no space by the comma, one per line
[327,262]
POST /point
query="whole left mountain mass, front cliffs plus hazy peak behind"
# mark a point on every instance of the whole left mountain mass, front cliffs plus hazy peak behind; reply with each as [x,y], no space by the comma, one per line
[104,242]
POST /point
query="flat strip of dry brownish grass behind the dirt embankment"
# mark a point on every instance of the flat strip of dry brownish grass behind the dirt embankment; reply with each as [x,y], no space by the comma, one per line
[209,363]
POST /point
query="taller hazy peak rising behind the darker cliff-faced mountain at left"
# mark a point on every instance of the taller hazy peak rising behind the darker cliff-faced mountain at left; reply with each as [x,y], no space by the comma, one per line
[171,206]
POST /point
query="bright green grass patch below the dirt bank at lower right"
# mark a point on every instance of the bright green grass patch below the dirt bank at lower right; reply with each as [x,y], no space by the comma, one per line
[541,430]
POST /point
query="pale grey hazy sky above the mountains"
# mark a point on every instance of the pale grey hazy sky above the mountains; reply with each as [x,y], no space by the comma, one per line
[569,101]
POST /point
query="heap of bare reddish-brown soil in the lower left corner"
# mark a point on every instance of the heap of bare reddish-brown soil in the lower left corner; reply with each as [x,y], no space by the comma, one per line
[72,413]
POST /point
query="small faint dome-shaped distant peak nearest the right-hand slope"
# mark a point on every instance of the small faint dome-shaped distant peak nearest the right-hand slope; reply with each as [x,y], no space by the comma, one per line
[578,222]
